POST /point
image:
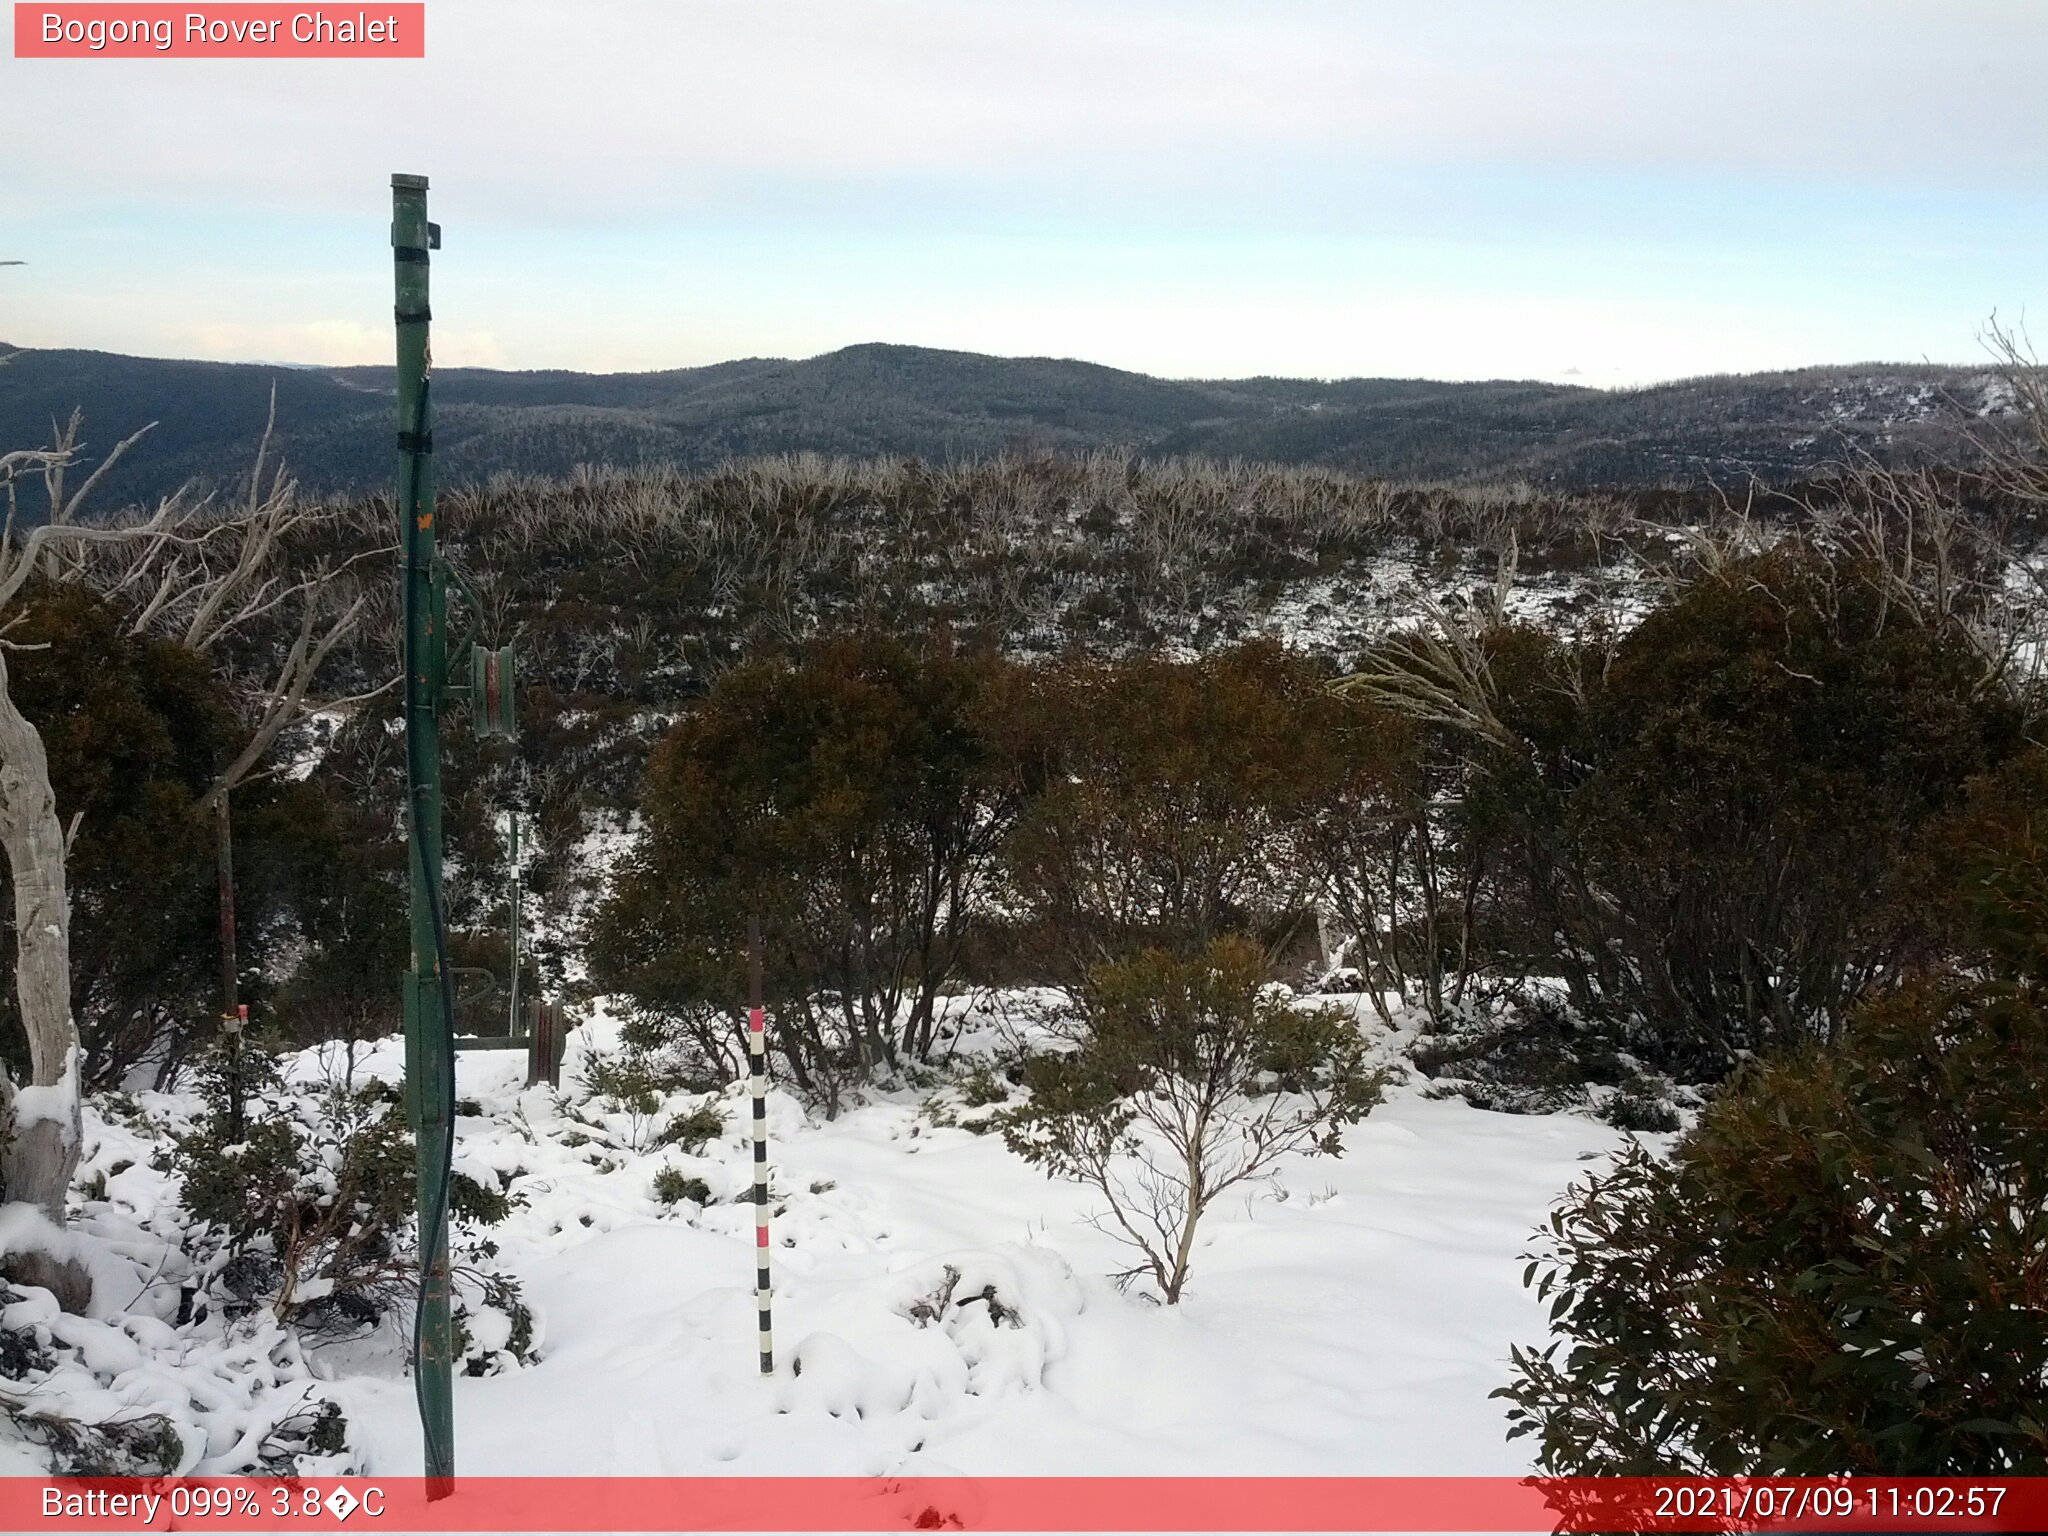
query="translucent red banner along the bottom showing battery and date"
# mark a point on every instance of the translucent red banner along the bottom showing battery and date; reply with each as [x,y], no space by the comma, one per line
[1031,1504]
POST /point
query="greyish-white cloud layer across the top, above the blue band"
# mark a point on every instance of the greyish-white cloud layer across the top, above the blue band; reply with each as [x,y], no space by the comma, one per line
[607,110]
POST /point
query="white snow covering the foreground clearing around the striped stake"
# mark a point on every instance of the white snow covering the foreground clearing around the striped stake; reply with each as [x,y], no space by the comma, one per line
[939,1304]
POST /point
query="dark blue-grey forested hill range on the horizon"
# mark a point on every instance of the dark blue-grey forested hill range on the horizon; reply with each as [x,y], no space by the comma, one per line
[914,402]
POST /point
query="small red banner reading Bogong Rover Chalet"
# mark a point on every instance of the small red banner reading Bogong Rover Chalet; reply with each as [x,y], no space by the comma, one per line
[232,32]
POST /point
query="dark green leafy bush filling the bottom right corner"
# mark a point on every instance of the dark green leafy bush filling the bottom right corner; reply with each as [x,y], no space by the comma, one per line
[1846,1265]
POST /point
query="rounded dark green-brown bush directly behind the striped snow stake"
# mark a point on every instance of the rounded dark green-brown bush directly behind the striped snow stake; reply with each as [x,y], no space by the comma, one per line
[853,802]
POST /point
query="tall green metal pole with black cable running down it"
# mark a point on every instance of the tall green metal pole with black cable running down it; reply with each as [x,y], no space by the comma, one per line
[429,1043]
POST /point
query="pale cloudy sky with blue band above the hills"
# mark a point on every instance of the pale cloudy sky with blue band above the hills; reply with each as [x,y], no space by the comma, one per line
[1560,189]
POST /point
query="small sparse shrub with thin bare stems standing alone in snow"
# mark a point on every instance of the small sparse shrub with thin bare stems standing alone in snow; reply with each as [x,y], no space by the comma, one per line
[1193,1078]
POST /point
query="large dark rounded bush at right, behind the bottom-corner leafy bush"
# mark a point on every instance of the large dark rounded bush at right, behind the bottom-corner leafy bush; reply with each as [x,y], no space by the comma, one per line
[1766,755]
